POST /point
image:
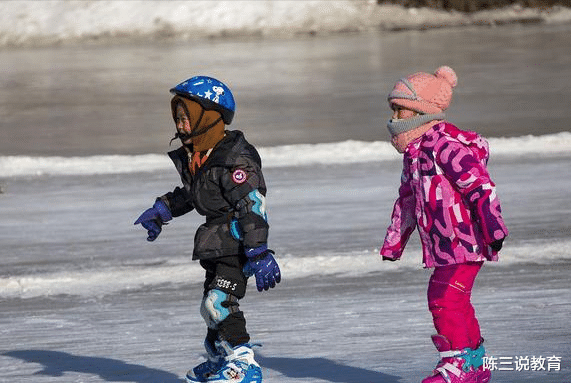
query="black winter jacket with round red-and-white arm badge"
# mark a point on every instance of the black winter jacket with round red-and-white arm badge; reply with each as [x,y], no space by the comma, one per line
[223,190]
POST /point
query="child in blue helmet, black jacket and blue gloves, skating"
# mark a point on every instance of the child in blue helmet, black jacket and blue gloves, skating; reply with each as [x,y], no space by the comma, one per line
[222,180]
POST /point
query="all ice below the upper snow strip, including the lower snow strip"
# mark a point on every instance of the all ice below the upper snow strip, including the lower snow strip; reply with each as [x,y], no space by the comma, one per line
[108,306]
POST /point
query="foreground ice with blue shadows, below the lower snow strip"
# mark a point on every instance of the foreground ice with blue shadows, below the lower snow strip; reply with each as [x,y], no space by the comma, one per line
[374,328]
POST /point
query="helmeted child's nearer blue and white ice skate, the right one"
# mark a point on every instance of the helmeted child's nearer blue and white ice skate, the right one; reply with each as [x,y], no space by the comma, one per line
[239,367]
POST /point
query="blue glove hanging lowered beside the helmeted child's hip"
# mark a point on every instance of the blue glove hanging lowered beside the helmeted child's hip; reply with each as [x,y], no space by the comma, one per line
[262,264]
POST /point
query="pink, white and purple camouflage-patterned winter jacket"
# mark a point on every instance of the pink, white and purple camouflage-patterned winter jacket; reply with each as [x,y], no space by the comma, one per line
[447,192]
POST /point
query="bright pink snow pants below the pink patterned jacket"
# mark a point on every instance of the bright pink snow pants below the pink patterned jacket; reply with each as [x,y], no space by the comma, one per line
[449,293]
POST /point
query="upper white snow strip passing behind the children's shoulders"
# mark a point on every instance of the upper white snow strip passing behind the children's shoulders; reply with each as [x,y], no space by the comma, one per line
[345,152]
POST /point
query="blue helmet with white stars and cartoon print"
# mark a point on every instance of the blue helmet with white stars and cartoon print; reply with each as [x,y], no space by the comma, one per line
[210,93]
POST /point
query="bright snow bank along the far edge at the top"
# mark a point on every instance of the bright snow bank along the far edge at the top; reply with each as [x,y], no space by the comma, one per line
[36,23]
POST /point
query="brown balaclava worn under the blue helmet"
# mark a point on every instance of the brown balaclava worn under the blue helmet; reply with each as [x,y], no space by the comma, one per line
[199,118]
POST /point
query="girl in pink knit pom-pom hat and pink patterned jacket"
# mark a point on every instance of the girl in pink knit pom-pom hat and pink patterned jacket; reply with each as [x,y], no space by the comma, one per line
[447,193]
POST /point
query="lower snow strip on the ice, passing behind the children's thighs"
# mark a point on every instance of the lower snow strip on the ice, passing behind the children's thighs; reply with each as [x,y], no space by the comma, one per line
[103,281]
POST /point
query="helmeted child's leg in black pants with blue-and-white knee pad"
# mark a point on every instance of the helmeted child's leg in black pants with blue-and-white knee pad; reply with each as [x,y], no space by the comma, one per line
[224,286]
